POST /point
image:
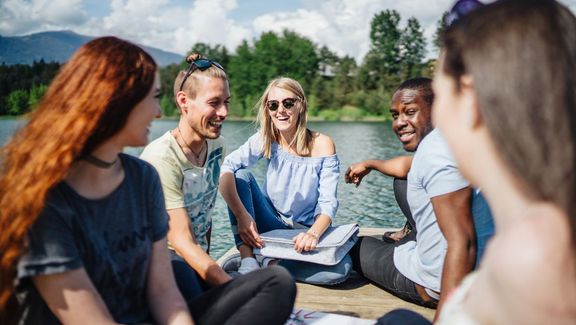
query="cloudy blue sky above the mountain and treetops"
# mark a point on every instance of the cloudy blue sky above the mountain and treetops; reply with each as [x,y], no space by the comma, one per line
[175,25]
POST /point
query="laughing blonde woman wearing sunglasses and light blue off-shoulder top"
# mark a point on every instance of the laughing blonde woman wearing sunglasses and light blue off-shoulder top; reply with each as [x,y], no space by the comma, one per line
[300,189]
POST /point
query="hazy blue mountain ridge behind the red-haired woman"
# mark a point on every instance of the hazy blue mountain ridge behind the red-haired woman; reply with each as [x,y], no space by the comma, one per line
[58,46]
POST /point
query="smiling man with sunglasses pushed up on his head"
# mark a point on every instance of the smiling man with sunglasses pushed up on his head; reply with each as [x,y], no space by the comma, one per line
[188,160]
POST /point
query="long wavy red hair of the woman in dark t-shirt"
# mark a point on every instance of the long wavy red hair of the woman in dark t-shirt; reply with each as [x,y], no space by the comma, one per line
[87,103]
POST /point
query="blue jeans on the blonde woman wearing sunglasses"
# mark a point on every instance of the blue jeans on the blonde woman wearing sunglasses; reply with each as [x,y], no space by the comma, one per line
[267,218]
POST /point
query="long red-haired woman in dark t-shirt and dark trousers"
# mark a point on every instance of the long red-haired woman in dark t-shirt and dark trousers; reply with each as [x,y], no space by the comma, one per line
[84,225]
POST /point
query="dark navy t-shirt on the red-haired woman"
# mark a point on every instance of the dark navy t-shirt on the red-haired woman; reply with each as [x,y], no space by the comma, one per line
[111,238]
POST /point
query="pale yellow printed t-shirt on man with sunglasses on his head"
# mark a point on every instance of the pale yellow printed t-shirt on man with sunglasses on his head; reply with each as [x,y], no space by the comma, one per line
[186,185]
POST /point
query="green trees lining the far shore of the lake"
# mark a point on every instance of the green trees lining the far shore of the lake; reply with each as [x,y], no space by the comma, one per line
[337,86]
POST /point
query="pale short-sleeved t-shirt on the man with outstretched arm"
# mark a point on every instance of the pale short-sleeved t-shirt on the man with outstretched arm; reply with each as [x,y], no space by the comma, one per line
[433,173]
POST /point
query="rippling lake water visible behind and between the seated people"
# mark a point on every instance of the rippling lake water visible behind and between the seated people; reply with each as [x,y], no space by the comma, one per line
[370,205]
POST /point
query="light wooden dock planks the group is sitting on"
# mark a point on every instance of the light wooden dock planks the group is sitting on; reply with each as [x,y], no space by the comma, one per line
[355,297]
